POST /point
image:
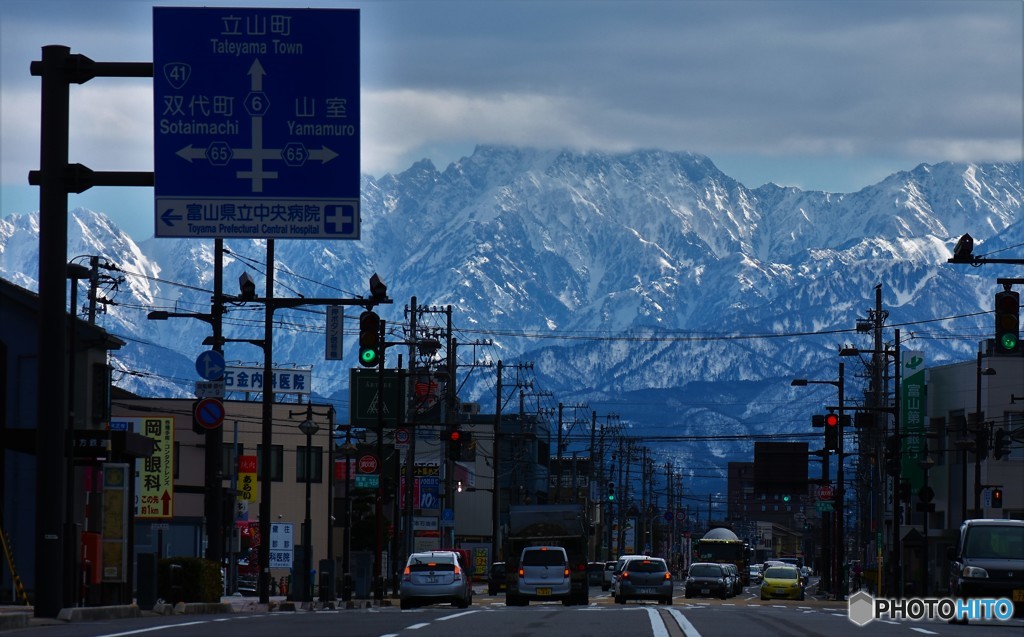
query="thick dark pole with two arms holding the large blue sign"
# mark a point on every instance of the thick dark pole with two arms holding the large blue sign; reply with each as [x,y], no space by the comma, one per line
[57,179]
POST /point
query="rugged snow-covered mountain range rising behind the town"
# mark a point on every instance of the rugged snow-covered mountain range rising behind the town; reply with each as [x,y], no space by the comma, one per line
[648,284]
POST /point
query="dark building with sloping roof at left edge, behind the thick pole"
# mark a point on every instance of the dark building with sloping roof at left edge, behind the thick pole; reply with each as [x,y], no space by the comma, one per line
[89,386]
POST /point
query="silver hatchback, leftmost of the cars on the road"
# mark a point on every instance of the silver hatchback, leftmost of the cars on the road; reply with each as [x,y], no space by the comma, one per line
[436,577]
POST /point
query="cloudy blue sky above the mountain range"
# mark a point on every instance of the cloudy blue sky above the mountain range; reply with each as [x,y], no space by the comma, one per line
[822,95]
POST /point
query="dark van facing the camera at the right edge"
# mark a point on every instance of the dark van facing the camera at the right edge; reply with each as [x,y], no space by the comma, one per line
[989,562]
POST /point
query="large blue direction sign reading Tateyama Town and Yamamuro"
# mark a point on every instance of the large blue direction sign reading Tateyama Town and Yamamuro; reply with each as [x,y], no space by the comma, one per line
[258,122]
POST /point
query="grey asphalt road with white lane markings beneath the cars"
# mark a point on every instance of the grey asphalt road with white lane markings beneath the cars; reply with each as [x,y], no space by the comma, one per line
[744,615]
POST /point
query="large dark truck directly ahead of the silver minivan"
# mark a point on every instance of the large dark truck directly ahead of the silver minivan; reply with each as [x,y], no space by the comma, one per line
[565,526]
